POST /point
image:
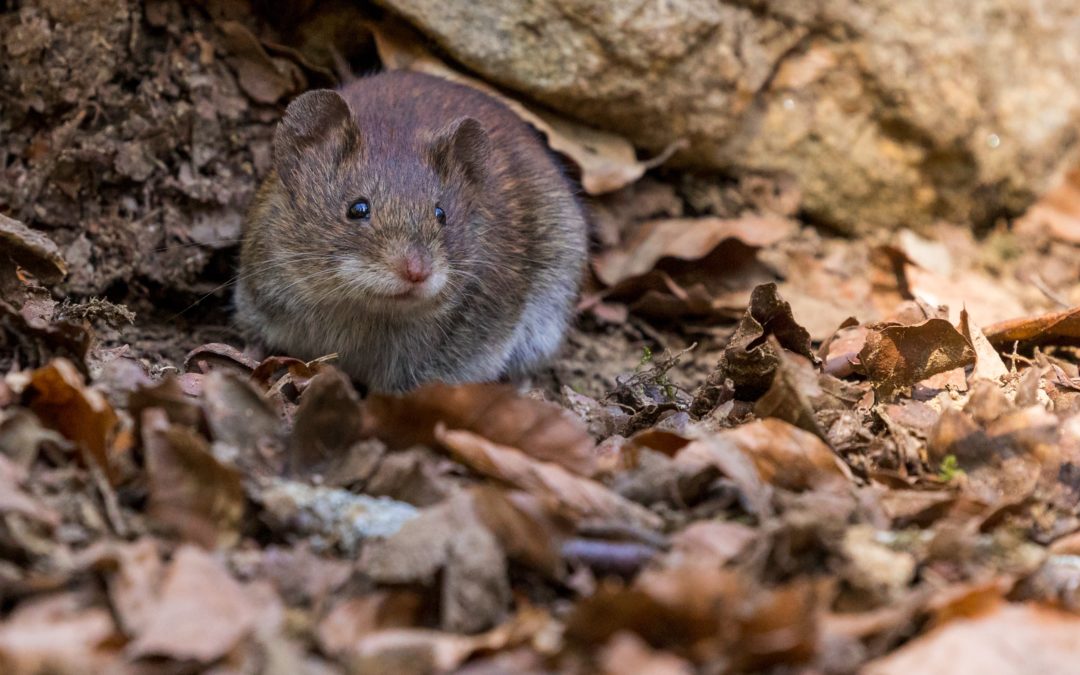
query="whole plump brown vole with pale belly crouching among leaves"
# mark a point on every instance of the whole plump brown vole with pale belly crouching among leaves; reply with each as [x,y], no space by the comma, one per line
[415,227]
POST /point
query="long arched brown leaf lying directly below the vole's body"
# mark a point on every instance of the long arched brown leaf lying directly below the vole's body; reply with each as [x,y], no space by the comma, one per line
[496,412]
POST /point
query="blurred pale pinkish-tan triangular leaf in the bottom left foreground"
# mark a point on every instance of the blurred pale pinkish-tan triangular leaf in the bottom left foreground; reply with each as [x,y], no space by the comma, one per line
[201,614]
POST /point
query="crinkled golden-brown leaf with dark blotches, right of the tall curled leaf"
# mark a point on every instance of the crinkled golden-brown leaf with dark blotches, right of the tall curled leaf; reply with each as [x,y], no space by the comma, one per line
[896,358]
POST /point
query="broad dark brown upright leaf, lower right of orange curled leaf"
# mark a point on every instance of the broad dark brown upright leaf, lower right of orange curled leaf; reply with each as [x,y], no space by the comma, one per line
[192,492]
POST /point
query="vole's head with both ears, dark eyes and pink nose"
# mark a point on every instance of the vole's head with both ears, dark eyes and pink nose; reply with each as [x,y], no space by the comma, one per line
[383,217]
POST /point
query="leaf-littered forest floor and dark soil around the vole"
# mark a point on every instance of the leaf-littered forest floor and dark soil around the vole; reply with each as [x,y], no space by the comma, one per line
[765,448]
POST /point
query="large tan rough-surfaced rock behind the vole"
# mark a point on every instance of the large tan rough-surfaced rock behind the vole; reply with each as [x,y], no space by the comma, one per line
[885,113]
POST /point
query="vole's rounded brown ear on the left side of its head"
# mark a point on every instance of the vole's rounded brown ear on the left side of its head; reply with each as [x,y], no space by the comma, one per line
[312,119]
